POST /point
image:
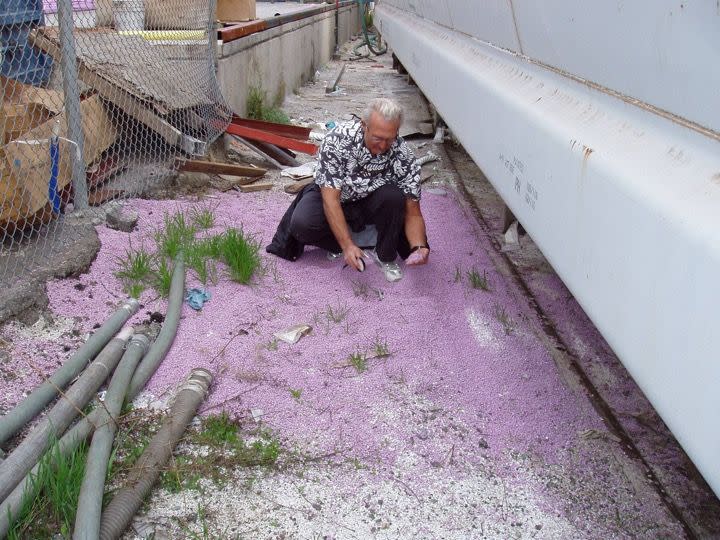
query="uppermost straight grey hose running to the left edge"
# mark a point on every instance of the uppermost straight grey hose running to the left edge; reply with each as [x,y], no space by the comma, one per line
[19,462]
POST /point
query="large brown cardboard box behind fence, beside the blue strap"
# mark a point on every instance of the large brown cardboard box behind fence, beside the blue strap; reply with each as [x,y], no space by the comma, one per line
[25,173]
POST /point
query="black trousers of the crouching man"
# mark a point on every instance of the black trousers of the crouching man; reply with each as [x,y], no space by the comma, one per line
[384,208]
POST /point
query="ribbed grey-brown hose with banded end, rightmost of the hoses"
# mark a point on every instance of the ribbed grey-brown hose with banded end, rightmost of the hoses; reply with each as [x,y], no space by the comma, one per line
[127,501]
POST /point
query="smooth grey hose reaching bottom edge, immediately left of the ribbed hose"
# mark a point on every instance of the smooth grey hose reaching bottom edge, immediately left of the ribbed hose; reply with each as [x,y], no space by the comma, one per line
[87,520]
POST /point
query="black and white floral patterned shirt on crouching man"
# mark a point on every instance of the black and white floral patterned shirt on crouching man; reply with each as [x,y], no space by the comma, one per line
[345,163]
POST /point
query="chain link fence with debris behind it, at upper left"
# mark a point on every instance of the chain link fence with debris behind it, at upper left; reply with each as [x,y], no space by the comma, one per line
[99,100]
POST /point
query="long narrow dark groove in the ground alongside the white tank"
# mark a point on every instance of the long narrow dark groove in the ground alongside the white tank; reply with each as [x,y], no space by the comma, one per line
[598,403]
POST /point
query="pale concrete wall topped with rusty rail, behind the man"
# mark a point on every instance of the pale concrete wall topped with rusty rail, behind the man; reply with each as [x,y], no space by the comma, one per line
[281,59]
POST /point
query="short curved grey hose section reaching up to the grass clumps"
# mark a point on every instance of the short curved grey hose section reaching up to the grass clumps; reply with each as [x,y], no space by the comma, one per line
[167,333]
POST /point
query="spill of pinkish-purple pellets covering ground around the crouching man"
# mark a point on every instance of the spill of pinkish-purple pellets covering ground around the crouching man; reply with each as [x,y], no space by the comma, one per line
[494,392]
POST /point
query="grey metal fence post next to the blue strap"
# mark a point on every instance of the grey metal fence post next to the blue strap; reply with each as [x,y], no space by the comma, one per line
[72,101]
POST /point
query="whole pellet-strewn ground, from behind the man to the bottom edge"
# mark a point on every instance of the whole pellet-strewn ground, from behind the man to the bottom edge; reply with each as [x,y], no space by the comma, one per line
[469,428]
